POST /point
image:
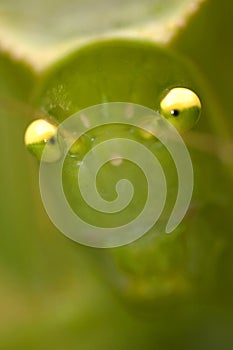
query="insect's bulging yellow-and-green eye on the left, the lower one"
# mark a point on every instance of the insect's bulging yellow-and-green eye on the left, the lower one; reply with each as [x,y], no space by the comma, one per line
[39,133]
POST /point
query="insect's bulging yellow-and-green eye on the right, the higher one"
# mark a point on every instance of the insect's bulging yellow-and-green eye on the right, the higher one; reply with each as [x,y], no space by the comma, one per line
[182,107]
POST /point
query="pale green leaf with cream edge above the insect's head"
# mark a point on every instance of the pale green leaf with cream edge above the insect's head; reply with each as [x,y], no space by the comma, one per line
[43,31]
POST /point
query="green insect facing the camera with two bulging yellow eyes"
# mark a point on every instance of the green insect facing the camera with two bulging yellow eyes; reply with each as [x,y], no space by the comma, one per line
[118,71]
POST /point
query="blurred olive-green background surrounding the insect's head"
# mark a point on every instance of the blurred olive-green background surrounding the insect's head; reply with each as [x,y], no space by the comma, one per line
[56,294]
